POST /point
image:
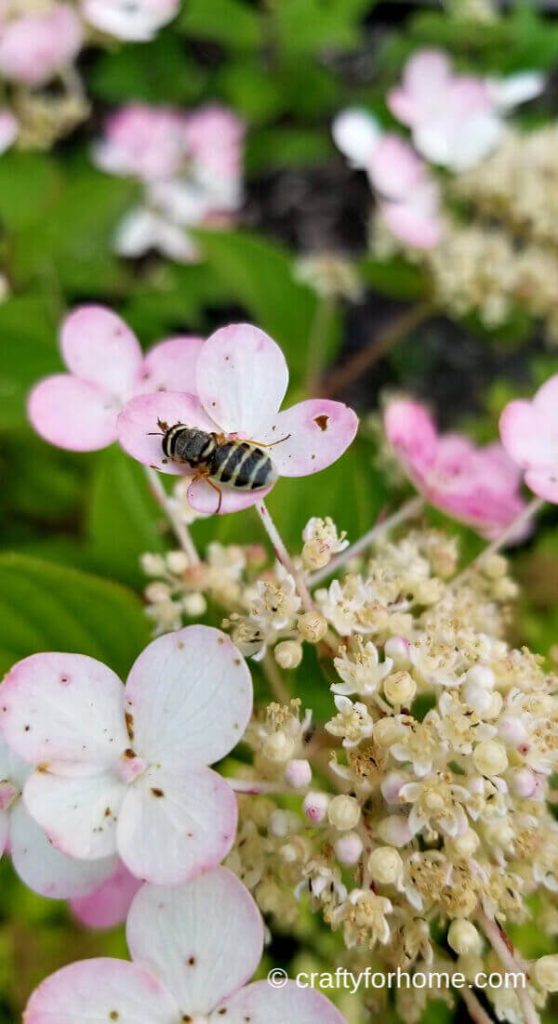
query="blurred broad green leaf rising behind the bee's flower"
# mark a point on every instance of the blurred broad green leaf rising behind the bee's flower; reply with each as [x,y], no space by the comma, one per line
[262,279]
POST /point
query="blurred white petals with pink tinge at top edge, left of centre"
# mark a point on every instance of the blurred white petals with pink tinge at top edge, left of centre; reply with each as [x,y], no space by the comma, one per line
[137,22]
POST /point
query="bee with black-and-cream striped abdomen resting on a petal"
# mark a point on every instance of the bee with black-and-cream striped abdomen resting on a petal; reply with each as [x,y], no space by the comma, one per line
[240,464]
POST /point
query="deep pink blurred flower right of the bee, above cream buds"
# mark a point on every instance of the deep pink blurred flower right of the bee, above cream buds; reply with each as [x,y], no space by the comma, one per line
[476,486]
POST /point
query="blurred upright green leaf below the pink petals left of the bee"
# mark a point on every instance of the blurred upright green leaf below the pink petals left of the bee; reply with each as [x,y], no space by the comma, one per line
[124,520]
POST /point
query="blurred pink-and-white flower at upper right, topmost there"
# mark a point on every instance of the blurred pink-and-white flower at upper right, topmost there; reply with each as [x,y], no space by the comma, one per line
[456,119]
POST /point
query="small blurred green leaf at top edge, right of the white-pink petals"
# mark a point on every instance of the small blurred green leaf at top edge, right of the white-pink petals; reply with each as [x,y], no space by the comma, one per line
[232,23]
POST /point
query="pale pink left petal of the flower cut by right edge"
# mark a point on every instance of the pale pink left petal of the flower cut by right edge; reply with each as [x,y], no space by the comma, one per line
[526,436]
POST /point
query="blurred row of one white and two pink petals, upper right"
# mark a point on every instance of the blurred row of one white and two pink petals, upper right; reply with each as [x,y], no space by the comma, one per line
[408,196]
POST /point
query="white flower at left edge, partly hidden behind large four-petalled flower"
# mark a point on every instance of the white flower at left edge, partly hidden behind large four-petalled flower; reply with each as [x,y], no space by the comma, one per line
[44,868]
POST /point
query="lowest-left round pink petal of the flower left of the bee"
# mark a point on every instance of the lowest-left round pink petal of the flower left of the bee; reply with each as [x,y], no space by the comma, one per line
[73,414]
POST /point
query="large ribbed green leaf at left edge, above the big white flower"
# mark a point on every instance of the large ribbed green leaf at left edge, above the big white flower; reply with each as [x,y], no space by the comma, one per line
[49,608]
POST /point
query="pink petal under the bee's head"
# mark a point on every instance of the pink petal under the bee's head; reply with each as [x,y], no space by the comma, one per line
[140,418]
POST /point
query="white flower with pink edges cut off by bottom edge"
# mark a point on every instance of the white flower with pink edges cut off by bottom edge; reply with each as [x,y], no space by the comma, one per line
[194,950]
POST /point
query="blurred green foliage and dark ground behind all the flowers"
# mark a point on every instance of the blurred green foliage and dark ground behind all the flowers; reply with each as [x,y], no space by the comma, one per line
[72,528]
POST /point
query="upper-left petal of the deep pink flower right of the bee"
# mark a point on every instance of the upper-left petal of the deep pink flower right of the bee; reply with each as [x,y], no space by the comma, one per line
[411,432]
